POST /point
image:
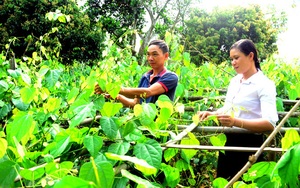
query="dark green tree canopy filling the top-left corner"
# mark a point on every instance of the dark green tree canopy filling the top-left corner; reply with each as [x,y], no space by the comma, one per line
[75,39]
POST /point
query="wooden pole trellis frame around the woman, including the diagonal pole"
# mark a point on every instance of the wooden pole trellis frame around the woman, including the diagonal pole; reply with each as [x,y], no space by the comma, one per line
[213,129]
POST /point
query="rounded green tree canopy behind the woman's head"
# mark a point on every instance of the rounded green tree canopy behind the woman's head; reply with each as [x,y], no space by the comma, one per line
[209,35]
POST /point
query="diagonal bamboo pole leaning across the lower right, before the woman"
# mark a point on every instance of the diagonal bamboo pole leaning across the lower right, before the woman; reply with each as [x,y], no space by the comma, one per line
[253,158]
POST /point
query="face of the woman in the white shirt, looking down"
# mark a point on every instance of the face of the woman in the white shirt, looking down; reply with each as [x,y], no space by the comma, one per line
[240,62]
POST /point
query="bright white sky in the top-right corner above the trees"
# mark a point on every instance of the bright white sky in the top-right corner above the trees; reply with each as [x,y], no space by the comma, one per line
[289,41]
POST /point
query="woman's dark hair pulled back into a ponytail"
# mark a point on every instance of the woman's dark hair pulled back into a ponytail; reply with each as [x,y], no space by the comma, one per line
[246,46]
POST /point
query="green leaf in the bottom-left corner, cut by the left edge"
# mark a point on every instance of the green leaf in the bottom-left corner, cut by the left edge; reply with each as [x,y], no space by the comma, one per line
[8,172]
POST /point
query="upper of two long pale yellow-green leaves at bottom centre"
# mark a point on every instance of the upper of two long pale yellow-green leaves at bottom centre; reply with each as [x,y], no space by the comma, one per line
[139,164]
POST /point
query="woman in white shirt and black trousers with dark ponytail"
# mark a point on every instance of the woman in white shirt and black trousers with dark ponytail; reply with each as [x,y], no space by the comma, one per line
[250,104]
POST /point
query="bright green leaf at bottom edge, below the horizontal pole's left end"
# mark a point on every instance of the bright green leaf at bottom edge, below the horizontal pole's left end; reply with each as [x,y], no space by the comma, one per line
[172,175]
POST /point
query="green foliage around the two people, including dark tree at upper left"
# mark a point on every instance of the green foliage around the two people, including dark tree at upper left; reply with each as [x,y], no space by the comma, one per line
[55,132]
